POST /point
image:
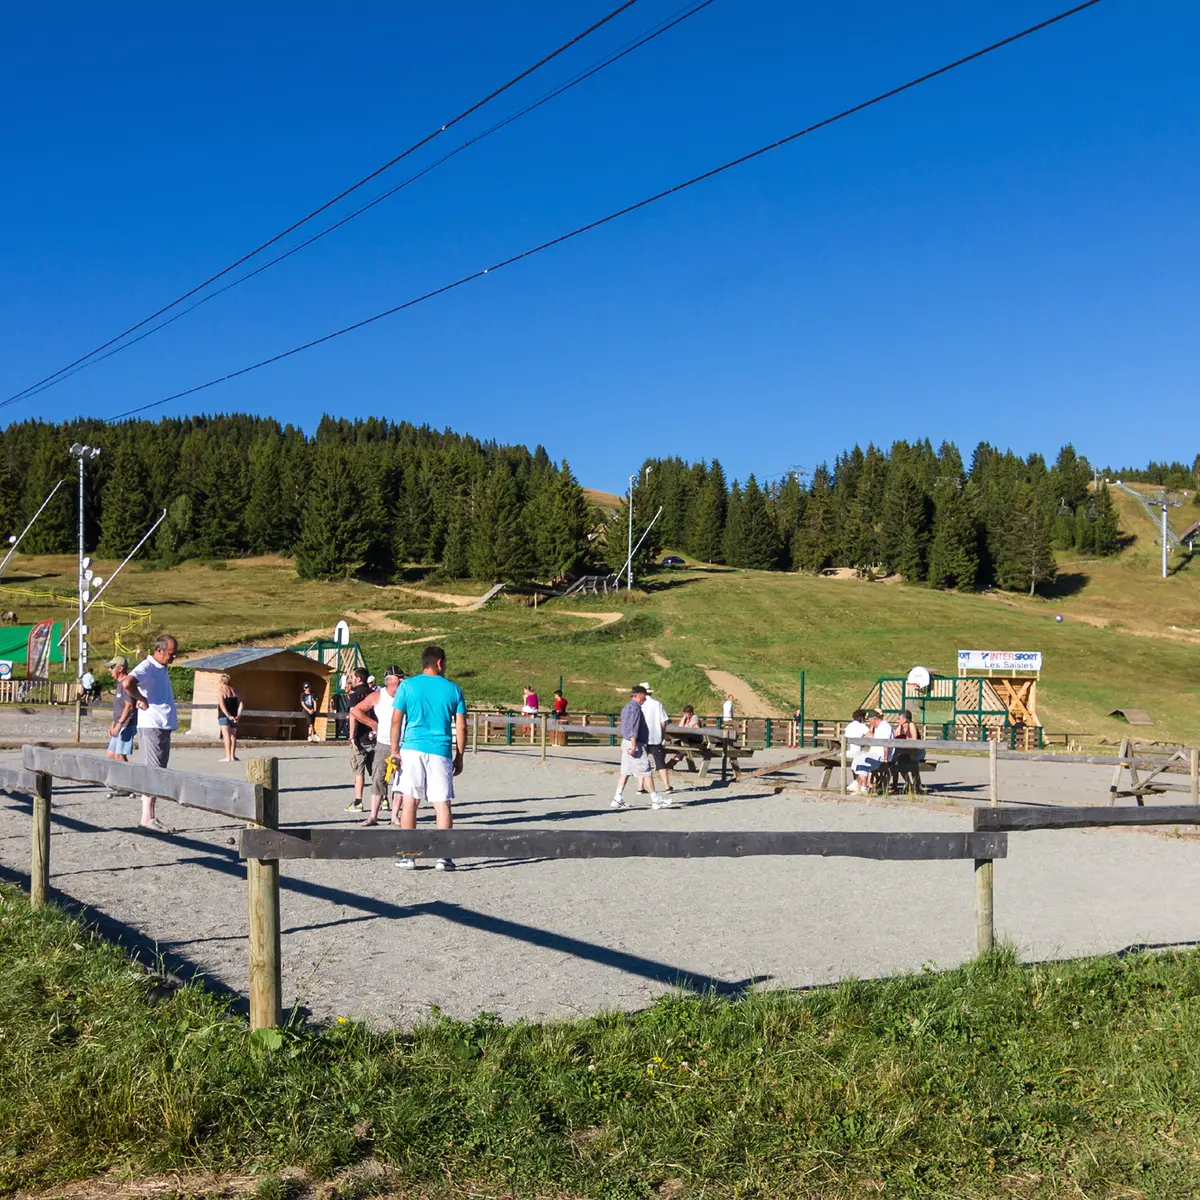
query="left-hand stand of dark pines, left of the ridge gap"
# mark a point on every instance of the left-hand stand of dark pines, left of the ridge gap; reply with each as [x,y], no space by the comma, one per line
[359,496]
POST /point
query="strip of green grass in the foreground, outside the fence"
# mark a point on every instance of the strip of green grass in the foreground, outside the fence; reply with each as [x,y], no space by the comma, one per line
[1069,1079]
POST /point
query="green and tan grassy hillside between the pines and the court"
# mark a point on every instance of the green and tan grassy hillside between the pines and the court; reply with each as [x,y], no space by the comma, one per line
[1129,638]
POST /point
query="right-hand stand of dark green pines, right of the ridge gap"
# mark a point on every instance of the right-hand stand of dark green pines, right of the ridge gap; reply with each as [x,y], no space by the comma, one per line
[911,511]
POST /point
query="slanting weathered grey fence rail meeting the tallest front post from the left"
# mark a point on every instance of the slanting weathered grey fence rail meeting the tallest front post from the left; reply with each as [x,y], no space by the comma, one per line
[230,797]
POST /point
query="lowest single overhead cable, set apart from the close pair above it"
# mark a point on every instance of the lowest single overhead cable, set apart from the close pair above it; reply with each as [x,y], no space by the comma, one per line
[621,213]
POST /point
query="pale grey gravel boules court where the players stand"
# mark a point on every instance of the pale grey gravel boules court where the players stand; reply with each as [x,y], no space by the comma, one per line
[561,939]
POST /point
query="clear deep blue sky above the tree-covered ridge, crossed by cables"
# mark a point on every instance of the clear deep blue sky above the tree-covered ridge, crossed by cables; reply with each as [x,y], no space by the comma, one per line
[1007,254]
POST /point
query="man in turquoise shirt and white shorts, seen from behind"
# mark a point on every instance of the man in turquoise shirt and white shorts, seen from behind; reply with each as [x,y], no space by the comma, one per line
[433,713]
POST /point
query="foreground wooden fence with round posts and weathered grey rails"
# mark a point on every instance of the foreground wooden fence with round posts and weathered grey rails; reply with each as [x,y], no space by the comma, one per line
[265,845]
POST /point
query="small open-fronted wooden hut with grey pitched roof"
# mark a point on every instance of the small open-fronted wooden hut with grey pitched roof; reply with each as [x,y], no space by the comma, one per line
[269,681]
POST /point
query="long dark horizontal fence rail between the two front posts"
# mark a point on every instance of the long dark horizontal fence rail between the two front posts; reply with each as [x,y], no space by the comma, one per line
[268,844]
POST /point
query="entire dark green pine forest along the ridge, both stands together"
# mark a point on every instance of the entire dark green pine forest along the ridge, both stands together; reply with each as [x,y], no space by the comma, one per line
[373,497]
